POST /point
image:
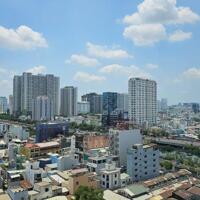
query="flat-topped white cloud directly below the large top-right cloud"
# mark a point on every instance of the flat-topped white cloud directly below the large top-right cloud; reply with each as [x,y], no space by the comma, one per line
[145,34]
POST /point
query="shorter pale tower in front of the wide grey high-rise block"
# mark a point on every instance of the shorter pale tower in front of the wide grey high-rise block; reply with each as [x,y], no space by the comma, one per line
[42,109]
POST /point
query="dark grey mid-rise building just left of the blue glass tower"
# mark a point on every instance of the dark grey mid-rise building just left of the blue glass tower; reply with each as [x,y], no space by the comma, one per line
[95,101]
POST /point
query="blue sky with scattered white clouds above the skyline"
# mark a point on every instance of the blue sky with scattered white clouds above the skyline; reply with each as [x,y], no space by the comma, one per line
[97,45]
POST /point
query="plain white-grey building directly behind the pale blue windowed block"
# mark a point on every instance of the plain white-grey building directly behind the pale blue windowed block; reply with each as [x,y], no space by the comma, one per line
[121,140]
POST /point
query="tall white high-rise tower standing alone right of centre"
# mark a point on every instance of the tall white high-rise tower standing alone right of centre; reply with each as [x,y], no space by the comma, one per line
[142,101]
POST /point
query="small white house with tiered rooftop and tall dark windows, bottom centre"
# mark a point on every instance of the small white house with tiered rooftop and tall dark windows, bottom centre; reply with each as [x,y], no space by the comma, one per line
[110,176]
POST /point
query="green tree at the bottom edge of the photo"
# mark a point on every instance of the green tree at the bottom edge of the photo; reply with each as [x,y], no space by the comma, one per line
[88,193]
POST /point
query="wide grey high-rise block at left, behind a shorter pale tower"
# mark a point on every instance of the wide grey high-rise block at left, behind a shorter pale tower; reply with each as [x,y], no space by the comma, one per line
[28,86]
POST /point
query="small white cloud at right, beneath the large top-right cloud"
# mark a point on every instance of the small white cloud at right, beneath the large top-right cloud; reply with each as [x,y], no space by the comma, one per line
[180,35]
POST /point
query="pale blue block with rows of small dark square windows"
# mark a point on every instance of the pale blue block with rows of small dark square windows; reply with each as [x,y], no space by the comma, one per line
[143,161]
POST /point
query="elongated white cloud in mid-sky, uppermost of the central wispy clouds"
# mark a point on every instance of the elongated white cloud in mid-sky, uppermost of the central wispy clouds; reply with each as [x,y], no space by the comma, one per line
[106,52]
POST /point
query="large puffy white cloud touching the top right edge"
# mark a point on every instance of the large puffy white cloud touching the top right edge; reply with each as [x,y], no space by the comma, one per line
[161,12]
